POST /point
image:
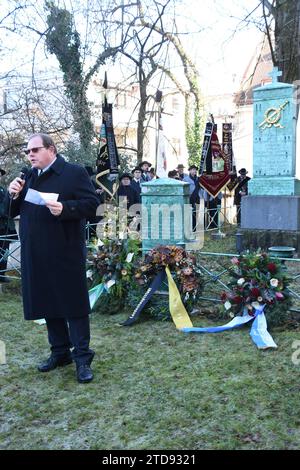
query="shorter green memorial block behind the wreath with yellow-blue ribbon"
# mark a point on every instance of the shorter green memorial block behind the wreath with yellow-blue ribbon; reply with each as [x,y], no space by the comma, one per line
[166,215]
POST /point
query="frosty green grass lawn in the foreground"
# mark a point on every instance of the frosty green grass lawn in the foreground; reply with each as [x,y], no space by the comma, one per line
[154,388]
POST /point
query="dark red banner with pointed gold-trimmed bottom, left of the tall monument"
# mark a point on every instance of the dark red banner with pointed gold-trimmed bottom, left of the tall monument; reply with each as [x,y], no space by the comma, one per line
[214,179]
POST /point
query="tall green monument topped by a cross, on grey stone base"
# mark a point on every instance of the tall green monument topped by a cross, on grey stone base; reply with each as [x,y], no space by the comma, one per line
[271,212]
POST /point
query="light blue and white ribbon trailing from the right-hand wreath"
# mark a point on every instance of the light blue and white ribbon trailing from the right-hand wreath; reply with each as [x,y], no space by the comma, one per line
[259,333]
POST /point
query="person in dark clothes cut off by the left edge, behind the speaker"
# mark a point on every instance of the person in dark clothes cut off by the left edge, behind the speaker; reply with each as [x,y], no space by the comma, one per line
[7,227]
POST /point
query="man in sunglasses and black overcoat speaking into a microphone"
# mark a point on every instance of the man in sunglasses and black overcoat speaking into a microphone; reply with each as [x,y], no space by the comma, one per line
[53,252]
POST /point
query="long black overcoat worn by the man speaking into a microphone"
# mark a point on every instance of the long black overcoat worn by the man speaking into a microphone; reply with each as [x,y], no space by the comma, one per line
[53,250]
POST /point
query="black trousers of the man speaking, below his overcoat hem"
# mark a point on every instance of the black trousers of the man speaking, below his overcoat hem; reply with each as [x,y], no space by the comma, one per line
[64,334]
